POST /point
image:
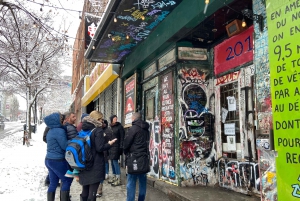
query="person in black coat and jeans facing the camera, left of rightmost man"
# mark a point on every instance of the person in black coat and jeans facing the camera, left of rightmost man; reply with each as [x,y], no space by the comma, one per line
[117,131]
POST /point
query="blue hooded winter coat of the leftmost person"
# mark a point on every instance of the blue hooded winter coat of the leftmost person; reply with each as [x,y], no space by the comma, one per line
[56,137]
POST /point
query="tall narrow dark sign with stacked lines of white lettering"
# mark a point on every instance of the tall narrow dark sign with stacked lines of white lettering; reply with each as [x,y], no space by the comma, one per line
[167,123]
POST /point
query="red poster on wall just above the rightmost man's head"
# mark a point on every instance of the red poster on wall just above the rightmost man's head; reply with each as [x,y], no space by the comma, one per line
[129,95]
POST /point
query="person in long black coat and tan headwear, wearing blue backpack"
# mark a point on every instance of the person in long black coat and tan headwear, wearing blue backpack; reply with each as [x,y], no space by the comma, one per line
[90,179]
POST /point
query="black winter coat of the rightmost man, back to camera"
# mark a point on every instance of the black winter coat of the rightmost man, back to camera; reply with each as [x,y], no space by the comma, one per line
[135,140]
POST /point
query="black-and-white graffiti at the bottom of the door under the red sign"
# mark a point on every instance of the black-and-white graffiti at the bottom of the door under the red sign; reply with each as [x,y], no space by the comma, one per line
[239,176]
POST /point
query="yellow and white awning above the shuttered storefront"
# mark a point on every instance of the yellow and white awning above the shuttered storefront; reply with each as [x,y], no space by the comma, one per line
[103,81]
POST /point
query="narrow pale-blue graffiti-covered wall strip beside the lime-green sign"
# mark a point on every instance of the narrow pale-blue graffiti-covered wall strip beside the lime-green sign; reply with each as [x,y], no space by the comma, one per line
[264,104]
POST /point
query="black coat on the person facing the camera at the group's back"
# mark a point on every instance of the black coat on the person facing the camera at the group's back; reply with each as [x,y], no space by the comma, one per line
[116,131]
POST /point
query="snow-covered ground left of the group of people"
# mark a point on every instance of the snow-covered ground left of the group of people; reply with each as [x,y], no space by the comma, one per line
[22,168]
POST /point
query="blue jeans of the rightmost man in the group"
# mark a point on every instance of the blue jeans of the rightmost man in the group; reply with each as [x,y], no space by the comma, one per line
[131,184]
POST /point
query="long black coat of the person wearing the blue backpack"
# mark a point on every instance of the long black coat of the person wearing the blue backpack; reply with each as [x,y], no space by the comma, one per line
[98,146]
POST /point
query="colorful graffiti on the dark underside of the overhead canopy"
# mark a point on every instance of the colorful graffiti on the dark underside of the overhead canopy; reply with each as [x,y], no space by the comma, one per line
[134,23]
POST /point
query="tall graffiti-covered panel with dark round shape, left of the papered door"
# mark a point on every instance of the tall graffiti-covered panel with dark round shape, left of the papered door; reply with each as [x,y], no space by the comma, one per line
[196,126]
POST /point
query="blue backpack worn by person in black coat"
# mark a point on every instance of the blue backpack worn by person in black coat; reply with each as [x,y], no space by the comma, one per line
[78,152]
